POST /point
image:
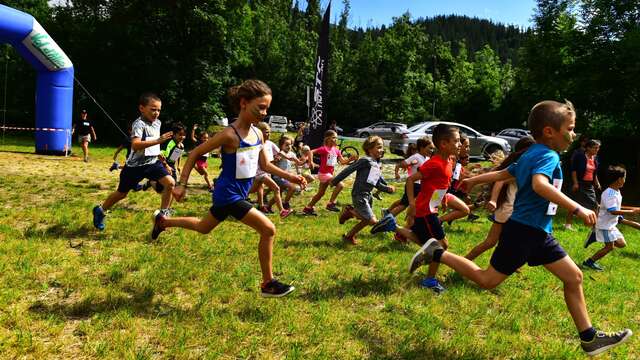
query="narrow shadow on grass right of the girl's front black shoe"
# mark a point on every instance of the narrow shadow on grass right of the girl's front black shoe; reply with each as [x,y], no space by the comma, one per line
[356,286]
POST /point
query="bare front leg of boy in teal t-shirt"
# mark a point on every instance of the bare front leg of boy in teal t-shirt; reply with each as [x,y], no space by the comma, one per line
[571,276]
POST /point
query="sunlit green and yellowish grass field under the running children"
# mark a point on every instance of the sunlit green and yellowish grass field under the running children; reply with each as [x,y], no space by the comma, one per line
[188,296]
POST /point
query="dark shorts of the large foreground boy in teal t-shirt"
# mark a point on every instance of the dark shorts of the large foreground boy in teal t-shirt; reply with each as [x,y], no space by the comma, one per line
[520,244]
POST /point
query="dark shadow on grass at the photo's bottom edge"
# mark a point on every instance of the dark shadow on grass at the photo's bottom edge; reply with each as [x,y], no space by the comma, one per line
[382,348]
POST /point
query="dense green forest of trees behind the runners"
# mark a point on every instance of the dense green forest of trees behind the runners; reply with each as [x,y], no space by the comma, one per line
[470,70]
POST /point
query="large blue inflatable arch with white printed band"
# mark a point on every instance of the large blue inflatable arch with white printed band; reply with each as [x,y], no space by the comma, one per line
[54,83]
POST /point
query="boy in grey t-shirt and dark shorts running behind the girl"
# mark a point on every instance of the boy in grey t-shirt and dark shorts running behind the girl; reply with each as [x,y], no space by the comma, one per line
[143,160]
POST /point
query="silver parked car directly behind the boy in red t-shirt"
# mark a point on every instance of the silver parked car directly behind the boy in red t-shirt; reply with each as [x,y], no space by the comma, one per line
[482,146]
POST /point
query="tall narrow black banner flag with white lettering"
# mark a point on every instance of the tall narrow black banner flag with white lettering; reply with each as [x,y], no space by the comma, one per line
[318,121]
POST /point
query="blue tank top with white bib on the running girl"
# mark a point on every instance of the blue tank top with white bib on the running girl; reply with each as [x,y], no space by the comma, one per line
[238,170]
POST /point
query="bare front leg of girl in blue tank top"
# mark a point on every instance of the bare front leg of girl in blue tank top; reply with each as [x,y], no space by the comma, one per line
[267,231]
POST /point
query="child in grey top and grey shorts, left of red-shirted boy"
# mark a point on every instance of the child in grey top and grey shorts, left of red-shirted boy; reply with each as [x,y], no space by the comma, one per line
[368,177]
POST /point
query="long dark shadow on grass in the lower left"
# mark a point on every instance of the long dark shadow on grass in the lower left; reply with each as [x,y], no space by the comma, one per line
[138,302]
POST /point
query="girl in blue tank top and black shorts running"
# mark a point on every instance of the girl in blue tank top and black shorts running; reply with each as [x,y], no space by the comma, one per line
[241,153]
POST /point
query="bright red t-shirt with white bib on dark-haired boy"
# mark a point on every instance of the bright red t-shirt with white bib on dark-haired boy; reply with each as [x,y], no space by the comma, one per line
[436,176]
